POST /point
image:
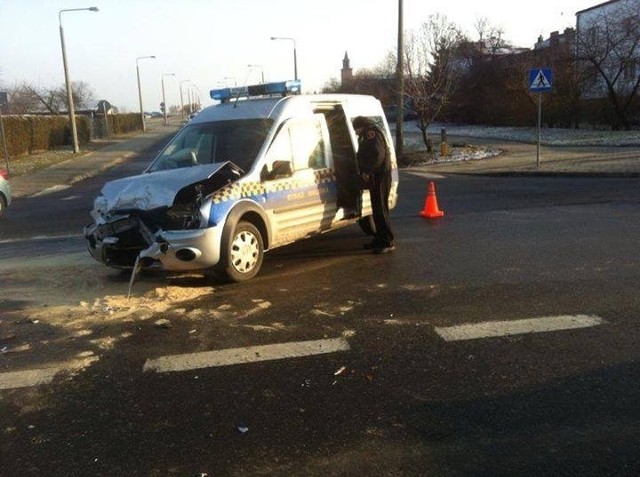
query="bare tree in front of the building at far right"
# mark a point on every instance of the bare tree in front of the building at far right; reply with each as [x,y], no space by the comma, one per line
[608,45]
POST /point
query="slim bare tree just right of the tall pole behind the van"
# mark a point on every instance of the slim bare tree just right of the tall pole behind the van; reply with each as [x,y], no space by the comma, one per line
[432,69]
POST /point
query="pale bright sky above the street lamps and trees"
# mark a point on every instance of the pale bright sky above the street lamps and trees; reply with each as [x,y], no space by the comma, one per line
[200,45]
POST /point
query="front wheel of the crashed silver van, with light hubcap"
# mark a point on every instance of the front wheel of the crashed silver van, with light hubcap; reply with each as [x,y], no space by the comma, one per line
[242,253]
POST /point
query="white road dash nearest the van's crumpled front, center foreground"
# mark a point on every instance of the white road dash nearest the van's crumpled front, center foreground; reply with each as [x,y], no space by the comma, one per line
[251,354]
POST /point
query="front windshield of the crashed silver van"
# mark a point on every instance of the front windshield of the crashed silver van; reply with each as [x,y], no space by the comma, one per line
[237,141]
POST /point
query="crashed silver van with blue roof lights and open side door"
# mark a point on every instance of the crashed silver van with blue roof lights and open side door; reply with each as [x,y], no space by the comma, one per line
[263,168]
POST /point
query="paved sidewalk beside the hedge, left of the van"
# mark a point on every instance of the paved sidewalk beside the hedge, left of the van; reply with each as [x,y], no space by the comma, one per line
[80,167]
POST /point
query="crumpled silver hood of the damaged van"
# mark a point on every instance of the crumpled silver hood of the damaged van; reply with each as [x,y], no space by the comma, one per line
[151,190]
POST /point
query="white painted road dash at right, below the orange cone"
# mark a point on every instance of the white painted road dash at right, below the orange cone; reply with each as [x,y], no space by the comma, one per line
[490,329]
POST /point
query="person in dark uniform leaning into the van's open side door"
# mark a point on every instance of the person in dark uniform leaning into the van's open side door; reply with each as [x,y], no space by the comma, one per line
[374,162]
